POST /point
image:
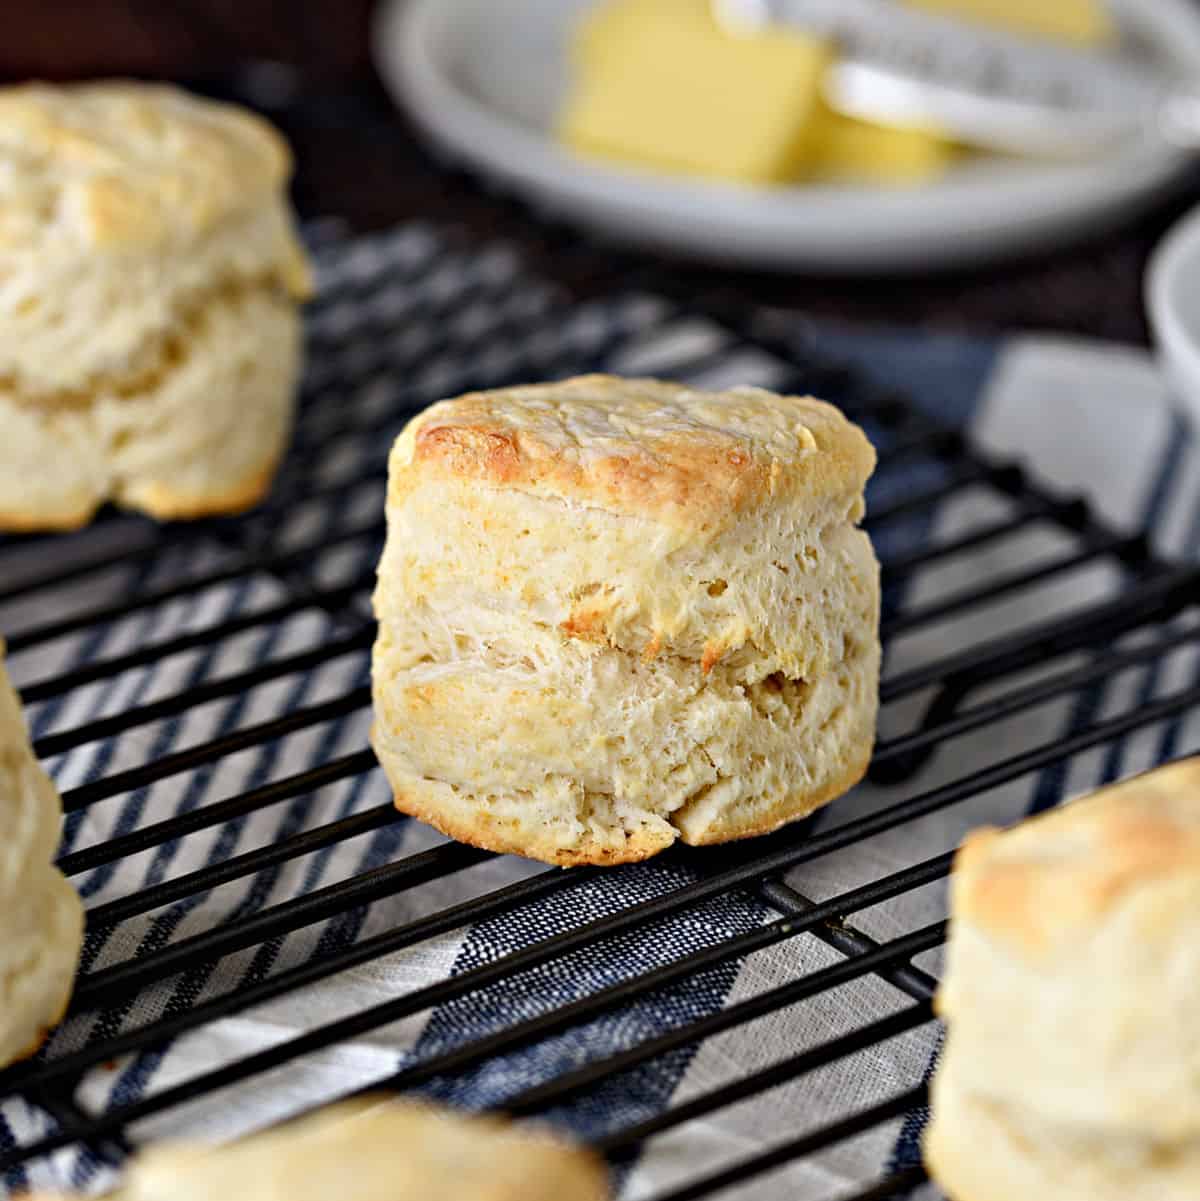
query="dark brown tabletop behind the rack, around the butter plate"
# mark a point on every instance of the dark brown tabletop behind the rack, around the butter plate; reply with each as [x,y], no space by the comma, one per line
[308,65]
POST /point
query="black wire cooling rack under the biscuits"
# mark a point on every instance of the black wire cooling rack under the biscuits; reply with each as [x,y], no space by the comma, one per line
[312,551]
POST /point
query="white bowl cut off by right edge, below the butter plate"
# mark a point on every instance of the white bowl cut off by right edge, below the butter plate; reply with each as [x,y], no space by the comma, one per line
[1173,298]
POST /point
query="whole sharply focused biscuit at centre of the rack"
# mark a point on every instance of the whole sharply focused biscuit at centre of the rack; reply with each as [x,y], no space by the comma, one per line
[614,613]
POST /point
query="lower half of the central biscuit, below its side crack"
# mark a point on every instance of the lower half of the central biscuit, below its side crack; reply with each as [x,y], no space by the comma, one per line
[659,751]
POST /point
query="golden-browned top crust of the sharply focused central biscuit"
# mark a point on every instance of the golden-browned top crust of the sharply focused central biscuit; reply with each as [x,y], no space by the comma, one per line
[642,447]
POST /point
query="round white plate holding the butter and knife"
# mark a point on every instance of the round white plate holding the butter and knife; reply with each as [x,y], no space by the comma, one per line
[485,79]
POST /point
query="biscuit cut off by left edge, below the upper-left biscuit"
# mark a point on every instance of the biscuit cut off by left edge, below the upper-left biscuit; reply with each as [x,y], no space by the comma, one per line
[41,918]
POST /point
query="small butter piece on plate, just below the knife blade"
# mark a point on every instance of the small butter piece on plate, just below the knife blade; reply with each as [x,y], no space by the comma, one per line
[855,152]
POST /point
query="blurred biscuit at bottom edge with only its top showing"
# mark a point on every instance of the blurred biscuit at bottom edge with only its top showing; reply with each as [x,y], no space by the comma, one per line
[368,1151]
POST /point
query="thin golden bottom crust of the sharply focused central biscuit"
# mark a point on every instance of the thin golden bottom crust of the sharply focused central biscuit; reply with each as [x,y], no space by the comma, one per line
[463,817]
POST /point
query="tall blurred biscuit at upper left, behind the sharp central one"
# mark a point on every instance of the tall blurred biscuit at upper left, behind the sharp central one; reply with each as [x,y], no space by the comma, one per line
[150,274]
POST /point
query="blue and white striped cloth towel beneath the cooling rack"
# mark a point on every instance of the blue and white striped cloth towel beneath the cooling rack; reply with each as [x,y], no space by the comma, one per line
[1090,419]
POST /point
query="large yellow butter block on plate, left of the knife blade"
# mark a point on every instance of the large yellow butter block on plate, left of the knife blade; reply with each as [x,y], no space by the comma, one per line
[661,86]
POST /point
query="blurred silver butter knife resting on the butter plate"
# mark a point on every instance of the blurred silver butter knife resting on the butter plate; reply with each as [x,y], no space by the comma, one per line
[899,67]
